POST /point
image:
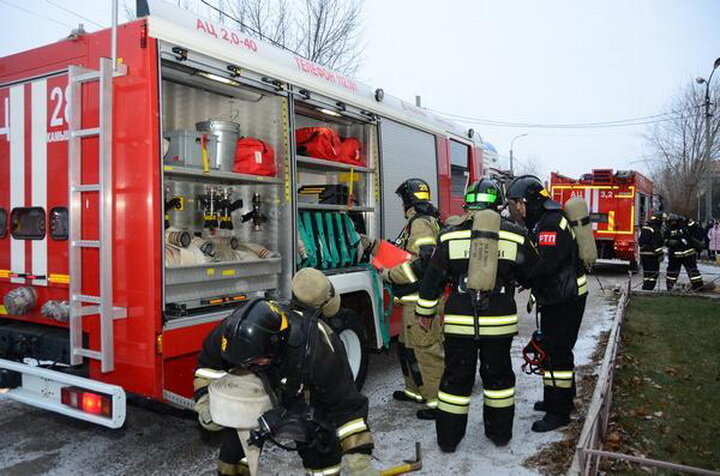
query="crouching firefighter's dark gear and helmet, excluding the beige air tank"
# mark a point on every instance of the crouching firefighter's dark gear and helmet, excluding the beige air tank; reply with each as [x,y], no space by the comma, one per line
[303,363]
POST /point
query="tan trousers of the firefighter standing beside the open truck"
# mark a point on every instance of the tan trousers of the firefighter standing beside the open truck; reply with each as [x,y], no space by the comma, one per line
[421,356]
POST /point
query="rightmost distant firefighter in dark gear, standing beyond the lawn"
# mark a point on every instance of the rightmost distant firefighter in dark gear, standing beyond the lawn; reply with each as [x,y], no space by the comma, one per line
[681,252]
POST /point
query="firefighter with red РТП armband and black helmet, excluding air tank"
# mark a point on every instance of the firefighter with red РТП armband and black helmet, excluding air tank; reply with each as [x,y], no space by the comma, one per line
[560,288]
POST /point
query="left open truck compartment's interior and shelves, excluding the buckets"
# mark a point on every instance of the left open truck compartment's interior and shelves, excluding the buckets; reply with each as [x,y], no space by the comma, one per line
[234,271]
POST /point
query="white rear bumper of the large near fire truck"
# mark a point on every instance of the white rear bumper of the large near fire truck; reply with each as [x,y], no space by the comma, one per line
[42,388]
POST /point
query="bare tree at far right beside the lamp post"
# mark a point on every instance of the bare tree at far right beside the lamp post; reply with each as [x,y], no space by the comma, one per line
[676,145]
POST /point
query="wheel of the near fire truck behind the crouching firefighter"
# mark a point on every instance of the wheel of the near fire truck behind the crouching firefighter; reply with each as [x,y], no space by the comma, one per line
[352,333]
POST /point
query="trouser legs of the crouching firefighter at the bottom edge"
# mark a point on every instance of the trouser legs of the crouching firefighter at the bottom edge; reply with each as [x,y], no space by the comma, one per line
[231,460]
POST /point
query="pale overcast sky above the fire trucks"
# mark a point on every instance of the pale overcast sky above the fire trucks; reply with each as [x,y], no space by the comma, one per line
[528,61]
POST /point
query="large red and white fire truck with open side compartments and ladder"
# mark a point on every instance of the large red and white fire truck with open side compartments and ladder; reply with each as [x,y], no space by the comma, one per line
[103,196]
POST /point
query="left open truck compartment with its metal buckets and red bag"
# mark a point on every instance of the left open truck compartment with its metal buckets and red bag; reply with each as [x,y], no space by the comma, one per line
[224,242]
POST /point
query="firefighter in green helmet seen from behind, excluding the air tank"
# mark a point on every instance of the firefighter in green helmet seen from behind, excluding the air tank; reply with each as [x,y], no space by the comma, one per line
[471,332]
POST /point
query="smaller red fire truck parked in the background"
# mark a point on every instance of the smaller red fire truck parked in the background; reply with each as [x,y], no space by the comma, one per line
[619,202]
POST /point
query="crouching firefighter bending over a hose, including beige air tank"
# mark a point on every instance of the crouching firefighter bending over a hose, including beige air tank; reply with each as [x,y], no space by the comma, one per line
[304,369]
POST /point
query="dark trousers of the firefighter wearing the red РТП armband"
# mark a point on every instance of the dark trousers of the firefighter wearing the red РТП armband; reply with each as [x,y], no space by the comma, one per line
[560,324]
